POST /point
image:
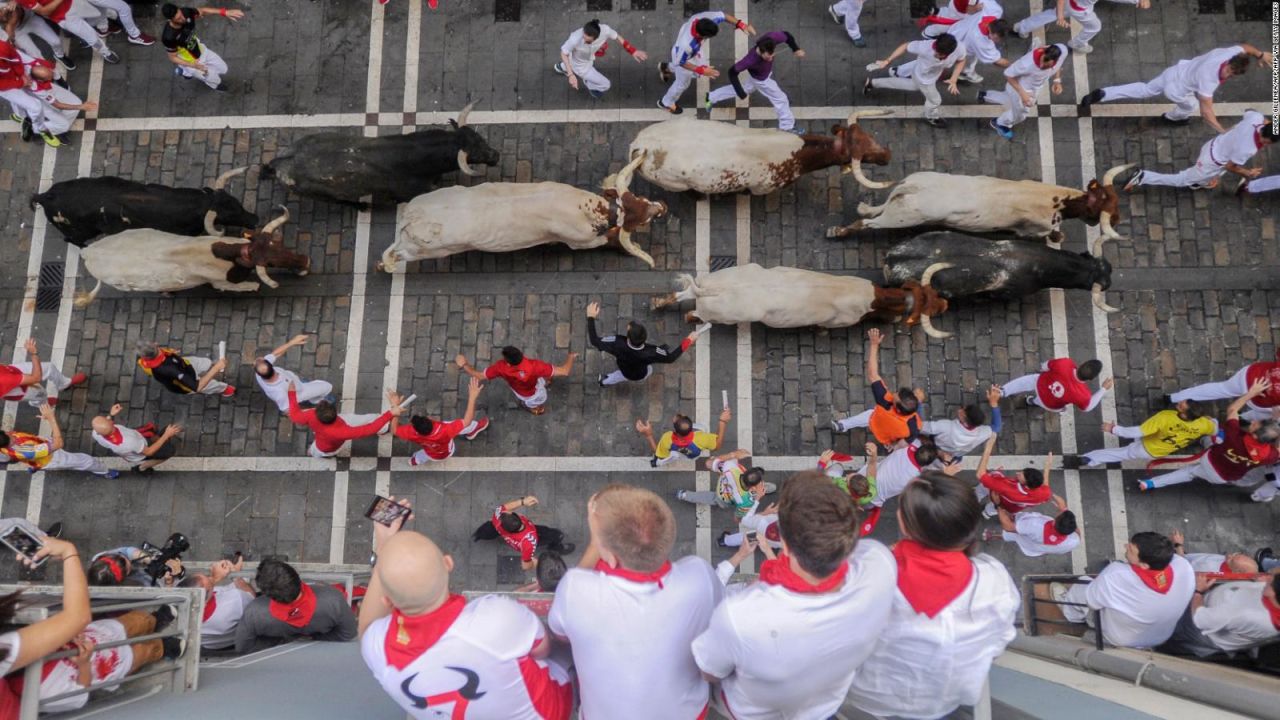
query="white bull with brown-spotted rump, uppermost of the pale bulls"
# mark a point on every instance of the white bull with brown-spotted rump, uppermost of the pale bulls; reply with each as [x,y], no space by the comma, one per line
[715,158]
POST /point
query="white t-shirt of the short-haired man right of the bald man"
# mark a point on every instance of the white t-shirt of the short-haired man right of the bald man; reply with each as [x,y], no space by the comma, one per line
[632,640]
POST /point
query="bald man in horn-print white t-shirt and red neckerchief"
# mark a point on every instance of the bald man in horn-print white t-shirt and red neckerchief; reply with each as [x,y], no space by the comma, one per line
[436,653]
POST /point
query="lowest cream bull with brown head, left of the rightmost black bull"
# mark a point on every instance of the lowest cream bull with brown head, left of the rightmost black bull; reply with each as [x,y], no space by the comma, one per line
[790,298]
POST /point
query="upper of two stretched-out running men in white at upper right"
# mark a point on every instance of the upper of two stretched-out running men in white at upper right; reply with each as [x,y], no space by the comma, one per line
[1190,85]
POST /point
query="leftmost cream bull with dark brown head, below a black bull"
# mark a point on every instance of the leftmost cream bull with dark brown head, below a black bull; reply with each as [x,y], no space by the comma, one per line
[148,261]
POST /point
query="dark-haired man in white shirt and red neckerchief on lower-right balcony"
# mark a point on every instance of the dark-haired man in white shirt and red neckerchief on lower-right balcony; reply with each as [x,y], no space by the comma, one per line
[1141,599]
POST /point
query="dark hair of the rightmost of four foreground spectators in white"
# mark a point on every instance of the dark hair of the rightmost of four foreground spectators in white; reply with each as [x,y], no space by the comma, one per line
[940,512]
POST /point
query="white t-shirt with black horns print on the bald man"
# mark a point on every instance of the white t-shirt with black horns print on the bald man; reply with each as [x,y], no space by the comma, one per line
[483,654]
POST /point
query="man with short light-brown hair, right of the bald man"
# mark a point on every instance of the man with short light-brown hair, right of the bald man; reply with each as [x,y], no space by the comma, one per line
[632,614]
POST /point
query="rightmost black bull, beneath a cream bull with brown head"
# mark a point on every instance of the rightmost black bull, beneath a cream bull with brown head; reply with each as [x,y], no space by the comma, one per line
[967,267]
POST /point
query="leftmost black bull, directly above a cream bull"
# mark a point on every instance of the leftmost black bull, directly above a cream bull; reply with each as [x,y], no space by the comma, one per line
[88,208]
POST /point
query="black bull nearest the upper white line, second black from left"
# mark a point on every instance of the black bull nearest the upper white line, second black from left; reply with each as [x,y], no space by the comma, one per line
[395,168]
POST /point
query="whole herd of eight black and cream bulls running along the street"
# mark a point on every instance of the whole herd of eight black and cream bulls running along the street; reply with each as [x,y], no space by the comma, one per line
[180,231]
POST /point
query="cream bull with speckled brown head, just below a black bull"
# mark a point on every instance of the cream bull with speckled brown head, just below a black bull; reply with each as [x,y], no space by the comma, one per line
[504,217]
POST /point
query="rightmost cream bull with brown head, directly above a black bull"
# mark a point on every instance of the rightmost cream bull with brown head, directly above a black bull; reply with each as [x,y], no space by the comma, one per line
[991,206]
